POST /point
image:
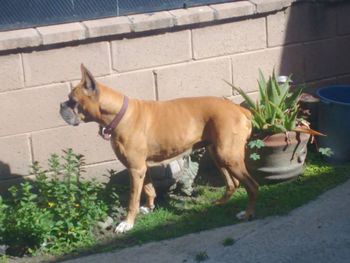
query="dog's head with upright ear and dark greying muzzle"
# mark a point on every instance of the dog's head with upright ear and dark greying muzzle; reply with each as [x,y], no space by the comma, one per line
[83,101]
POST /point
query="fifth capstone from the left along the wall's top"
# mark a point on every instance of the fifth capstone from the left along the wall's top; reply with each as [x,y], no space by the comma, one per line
[192,15]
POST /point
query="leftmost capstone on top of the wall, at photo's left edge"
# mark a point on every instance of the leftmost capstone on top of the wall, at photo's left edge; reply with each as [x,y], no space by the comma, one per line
[19,39]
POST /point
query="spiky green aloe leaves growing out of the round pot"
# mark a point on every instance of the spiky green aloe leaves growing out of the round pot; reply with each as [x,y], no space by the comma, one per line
[277,108]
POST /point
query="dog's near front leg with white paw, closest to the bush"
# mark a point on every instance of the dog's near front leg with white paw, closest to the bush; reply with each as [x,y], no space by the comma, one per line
[137,177]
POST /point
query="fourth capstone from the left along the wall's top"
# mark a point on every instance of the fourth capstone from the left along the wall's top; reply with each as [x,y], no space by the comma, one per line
[151,21]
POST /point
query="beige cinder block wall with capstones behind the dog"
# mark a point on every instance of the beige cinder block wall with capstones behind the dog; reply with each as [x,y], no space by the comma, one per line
[159,56]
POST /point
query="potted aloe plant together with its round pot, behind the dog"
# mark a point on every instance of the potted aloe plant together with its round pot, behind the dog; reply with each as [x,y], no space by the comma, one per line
[277,149]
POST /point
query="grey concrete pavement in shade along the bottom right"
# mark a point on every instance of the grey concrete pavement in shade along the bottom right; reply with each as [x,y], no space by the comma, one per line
[316,232]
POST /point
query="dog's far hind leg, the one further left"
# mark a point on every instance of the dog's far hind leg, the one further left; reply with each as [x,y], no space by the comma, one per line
[230,182]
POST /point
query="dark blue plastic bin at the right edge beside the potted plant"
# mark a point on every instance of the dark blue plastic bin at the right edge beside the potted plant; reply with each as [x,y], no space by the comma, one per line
[334,121]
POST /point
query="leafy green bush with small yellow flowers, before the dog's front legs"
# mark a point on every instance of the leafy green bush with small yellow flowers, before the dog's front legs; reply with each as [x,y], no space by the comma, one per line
[55,214]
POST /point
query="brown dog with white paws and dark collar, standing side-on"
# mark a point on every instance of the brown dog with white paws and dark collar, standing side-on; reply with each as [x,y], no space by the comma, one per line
[146,133]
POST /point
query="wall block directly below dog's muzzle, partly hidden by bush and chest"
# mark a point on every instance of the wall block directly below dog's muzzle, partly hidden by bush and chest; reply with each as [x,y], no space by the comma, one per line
[83,139]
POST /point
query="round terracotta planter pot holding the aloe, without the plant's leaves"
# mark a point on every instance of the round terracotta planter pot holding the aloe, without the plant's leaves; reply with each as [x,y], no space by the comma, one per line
[280,159]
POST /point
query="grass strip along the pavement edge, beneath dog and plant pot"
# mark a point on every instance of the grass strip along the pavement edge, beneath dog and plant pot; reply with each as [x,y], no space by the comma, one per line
[170,220]
